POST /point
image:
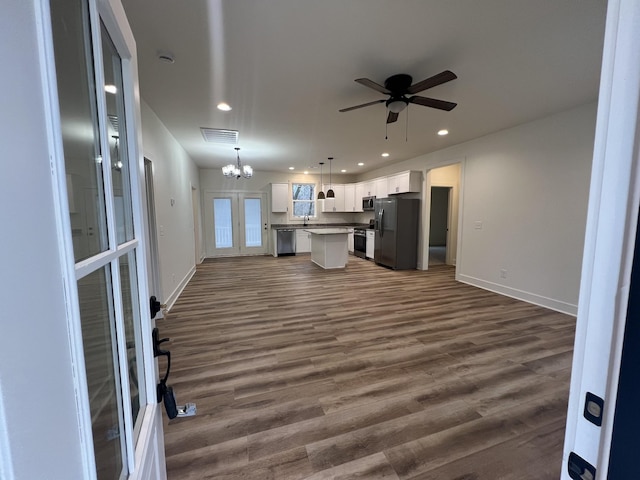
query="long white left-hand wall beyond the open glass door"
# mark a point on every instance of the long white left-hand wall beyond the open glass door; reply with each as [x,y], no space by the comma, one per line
[174,175]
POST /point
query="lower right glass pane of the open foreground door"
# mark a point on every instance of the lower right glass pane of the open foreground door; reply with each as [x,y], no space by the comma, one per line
[135,366]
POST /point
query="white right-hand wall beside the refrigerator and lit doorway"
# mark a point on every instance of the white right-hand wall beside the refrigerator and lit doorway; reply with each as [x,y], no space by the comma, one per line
[529,186]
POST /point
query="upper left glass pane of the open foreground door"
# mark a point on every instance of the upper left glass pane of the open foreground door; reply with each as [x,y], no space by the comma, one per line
[79,118]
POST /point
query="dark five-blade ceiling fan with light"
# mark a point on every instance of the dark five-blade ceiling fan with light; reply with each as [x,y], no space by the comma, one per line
[399,86]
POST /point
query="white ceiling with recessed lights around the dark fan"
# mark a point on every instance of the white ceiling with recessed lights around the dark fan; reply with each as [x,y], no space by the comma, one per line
[287,66]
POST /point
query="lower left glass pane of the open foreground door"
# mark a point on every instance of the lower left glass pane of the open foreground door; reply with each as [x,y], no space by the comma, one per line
[100,352]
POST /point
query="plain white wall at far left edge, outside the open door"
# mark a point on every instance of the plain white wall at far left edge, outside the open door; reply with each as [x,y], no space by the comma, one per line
[39,435]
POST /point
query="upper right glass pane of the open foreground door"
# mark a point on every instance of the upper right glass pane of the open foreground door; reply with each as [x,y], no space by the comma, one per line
[114,96]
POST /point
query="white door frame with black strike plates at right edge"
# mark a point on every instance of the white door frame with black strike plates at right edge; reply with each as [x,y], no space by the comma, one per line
[614,200]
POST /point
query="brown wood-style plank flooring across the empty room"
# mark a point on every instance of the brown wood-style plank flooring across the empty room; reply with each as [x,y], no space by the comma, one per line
[367,373]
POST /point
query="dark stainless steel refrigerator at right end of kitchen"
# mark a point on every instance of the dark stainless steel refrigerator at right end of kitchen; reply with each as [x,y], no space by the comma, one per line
[396,227]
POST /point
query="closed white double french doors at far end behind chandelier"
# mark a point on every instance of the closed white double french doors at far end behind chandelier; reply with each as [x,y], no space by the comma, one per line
[235,223]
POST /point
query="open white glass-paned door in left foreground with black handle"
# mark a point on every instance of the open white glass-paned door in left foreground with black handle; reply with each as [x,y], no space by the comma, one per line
[94,122]
